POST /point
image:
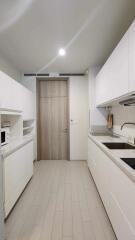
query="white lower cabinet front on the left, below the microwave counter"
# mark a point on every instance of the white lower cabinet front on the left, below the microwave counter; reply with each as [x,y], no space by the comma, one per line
[18,170]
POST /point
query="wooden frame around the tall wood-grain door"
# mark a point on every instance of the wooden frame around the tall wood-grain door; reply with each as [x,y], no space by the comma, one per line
[38,79]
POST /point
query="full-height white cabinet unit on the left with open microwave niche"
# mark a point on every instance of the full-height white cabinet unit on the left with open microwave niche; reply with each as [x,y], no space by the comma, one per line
[16,107]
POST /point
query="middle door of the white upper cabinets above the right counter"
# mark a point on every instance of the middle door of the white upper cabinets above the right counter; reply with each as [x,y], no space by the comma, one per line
[119,77]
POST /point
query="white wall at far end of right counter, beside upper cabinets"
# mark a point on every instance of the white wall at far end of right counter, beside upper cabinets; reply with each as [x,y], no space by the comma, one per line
[97,117]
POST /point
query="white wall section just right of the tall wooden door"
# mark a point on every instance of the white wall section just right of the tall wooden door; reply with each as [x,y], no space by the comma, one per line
[78,103]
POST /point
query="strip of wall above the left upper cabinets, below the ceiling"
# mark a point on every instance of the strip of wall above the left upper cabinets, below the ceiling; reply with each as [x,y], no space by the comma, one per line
[9,69]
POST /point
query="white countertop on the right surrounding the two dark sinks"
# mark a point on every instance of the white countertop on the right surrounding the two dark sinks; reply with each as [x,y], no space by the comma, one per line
[116,155]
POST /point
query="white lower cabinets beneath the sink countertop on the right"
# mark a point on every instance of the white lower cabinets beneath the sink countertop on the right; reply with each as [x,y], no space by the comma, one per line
[116,190]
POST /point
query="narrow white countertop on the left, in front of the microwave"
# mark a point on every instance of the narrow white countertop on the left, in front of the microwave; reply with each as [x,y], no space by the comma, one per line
[14,145]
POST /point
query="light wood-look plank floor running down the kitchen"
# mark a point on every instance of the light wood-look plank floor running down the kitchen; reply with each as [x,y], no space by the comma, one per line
[60,203]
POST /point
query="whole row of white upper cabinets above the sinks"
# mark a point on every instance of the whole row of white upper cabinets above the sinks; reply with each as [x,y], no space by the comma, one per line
[117,77]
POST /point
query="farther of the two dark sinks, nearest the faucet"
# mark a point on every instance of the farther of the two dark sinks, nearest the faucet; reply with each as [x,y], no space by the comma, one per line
[118,145]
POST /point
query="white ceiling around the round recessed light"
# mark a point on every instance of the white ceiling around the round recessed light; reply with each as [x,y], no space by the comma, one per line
[32,31]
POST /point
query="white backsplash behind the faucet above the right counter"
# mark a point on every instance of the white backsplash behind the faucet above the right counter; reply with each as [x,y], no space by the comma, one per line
[124,114]
